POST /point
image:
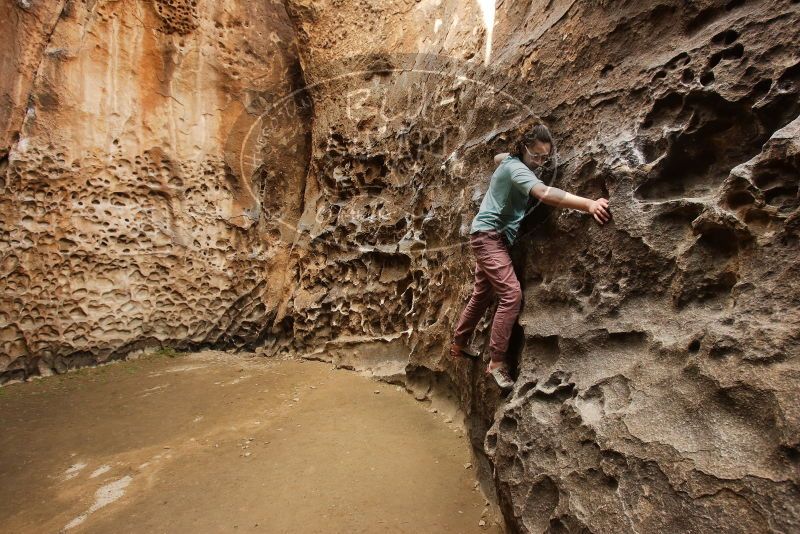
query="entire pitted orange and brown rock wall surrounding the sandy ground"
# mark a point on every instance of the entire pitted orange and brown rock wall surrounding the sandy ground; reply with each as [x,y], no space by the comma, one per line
[301,177]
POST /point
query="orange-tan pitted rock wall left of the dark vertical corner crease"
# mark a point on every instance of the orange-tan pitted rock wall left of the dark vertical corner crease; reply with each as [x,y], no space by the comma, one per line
[131,216]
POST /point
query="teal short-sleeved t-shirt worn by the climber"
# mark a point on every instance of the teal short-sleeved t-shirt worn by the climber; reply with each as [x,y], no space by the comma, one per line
[503,205]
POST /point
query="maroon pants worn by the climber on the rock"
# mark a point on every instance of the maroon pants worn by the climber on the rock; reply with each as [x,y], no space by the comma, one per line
[493,274]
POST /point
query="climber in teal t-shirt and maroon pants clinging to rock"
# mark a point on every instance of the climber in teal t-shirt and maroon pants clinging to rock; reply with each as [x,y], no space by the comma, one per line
[492,233]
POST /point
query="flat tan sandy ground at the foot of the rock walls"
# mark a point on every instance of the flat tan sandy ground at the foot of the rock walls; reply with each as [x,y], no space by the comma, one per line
[215,442]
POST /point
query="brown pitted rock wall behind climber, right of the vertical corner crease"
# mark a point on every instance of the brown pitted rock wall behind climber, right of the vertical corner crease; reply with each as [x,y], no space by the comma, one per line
[657,356]
